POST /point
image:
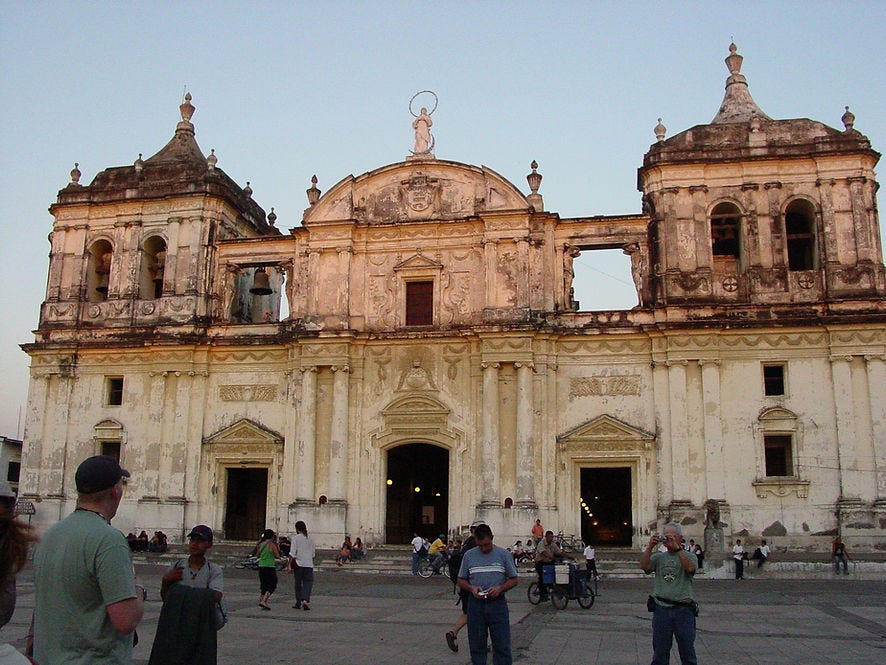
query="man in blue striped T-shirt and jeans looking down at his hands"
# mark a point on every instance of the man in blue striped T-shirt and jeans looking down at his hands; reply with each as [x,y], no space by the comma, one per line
[487,573]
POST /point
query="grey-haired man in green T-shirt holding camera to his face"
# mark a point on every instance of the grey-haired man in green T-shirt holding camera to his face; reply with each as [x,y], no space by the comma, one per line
[674,606]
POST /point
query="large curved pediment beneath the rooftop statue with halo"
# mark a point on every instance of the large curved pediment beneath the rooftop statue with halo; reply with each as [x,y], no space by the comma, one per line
[425,190]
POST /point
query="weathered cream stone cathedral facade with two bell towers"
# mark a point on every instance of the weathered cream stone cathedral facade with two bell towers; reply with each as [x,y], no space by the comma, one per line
[411,358]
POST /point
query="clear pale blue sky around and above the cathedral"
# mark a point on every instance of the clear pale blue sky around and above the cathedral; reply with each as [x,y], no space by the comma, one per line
[285,90]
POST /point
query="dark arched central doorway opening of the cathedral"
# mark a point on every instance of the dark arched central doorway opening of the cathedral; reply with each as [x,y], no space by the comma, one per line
[425,510]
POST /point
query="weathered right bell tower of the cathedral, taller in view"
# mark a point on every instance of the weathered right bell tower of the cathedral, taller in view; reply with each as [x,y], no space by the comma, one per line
[749,211]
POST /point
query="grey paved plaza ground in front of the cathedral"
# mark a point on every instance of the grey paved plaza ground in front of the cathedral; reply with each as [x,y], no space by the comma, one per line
[384,619]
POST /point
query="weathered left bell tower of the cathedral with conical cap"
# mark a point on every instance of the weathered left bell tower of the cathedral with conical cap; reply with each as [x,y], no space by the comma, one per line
[135,248]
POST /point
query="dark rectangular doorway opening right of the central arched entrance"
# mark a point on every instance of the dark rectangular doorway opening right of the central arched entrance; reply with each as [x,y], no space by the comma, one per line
[606,513]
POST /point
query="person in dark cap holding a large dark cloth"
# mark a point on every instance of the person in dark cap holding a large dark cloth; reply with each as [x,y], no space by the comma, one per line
[192,611]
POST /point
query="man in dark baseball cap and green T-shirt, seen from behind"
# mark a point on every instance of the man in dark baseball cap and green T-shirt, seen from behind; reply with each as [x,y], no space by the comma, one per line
[87,602]
